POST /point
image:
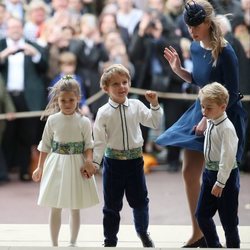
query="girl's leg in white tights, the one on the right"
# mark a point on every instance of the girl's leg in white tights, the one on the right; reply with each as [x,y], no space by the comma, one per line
[74,223]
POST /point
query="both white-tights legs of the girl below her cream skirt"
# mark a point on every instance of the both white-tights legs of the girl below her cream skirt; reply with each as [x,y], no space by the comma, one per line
[55,224]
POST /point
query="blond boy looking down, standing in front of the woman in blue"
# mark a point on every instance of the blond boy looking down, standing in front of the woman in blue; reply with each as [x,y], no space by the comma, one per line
[220,182]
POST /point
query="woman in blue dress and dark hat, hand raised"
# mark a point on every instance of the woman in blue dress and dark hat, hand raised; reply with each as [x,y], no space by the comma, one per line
[213,60]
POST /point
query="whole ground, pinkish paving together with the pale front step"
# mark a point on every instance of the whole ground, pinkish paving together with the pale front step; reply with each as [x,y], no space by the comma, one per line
[23,224]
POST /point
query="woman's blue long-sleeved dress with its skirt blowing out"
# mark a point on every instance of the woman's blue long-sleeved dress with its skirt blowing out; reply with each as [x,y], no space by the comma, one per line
[226,72]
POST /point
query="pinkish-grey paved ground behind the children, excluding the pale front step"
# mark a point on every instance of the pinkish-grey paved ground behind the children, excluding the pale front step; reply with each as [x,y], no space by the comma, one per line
[168,204]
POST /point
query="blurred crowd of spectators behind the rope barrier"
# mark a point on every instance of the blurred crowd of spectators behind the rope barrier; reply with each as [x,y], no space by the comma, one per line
[40,41]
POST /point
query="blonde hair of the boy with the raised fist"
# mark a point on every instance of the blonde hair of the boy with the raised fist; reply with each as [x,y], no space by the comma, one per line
[112,70]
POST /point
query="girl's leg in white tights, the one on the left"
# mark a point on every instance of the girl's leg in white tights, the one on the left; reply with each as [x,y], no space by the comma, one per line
[55,224]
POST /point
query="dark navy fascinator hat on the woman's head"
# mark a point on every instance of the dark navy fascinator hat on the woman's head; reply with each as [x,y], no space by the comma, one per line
[194,14]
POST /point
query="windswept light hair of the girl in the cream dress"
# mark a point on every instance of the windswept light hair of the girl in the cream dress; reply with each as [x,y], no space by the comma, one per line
[66,83]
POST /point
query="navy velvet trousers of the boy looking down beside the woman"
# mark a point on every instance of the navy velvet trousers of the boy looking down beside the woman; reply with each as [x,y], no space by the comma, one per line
[226,205]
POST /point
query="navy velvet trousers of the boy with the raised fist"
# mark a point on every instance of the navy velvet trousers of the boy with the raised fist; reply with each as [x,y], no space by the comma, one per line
[124,177]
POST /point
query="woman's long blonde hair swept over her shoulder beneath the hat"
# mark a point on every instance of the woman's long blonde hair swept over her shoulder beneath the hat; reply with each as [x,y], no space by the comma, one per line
[217,39]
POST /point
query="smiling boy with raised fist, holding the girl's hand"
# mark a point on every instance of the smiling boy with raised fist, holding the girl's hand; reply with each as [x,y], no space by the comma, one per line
[117,136]
